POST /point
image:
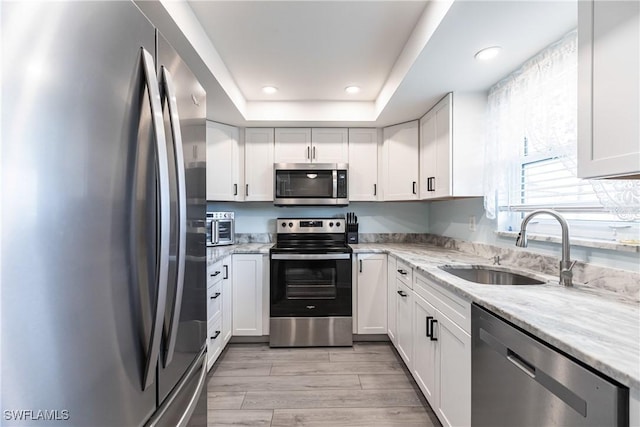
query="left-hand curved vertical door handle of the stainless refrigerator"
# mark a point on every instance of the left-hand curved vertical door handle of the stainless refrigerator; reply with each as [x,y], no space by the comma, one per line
[162,257]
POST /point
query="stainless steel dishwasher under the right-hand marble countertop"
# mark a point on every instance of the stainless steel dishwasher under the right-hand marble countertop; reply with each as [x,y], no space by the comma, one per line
[518,380]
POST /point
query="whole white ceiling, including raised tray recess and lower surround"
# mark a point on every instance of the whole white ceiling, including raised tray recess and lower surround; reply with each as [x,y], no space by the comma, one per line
[404,54]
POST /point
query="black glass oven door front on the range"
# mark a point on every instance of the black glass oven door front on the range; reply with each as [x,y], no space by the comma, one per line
[310,288]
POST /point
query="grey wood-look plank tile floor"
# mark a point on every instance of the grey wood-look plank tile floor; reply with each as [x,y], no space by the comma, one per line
[366,385]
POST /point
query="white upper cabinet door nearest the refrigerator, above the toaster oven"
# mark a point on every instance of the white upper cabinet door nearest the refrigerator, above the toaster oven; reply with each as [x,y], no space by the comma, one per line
[223,160]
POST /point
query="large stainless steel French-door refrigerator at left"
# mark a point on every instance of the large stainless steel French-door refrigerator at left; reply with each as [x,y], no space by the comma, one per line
[103,261]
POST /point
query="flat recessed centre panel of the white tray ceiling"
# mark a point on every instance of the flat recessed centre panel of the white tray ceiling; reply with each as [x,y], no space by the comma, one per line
[312,50]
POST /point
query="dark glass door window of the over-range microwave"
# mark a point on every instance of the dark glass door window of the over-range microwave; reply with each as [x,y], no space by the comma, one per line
[304,184]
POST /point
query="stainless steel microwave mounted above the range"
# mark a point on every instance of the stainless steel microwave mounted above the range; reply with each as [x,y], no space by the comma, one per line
[314,184]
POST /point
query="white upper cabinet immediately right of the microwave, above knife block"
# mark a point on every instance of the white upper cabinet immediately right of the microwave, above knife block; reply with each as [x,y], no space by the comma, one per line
[363,165]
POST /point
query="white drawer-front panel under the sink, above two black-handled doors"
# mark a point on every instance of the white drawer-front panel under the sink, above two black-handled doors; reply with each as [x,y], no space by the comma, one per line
[452,306]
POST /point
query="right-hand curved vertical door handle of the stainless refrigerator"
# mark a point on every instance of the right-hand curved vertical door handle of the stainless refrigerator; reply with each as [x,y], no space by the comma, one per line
[181,221]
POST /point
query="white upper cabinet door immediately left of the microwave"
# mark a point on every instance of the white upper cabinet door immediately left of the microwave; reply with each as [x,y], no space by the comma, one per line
[258,164]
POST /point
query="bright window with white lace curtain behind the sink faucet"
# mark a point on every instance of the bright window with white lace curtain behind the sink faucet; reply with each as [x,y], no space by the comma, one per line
[531,153]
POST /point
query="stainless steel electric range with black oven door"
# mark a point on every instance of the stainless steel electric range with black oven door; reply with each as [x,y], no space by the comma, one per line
[310,296]
